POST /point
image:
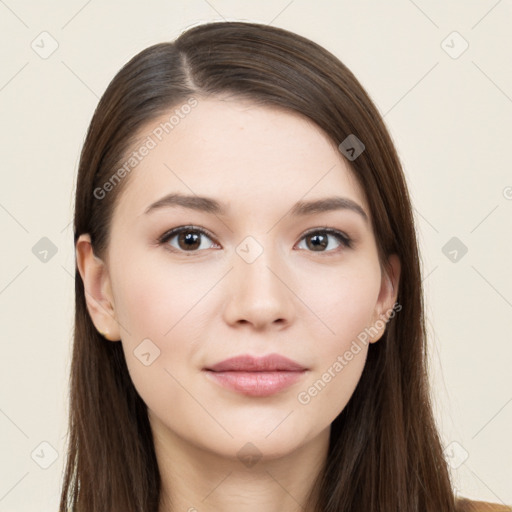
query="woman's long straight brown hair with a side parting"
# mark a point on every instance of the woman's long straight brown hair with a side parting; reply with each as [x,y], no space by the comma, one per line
[385,452]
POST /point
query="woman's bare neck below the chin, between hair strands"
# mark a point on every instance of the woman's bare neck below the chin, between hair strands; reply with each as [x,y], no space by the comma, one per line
[194,479]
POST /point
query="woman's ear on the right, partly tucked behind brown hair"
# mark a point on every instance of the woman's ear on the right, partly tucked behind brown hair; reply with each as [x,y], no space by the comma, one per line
[387,297]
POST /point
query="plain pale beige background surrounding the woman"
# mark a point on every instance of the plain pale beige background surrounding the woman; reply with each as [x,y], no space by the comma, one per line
[450,118]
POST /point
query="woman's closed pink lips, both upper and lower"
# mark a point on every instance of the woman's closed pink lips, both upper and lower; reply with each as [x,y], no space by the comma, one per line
[256,376]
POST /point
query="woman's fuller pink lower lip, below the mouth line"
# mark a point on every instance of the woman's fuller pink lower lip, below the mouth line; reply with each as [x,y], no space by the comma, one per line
[256,383]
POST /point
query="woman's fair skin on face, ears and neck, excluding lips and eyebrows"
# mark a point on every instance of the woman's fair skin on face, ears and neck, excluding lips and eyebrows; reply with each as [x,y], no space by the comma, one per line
[200,306]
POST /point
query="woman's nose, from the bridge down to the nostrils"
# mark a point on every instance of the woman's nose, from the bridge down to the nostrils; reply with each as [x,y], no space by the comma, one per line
[259,293]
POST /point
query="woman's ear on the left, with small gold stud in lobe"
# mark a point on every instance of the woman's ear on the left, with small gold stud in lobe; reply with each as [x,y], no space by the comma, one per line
[98,291]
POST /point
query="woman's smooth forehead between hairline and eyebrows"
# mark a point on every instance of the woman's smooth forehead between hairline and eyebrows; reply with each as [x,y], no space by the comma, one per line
[243,154]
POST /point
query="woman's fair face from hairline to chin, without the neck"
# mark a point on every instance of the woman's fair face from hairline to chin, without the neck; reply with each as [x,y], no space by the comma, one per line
[269,275]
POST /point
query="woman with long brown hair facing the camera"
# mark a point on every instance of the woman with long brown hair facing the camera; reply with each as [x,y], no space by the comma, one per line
[249,321]
